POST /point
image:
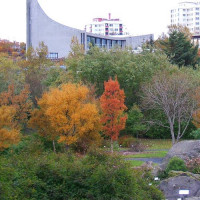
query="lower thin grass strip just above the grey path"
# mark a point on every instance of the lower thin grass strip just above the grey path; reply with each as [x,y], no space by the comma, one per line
[156,154]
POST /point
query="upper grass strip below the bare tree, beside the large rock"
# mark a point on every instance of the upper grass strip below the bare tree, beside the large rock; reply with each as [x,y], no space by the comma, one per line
[156,143]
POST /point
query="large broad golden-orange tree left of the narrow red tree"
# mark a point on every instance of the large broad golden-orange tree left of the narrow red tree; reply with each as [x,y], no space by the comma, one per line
[66,115]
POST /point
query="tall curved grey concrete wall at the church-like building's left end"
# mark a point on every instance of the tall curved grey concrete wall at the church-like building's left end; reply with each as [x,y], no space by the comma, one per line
[41,28]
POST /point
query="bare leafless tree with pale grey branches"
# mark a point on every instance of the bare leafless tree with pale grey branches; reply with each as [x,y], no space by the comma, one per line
[172,95]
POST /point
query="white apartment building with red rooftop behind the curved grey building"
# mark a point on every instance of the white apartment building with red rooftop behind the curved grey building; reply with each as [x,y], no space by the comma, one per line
[103,26]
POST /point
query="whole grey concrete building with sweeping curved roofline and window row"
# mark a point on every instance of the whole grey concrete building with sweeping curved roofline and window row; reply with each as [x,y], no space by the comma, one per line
[57,37]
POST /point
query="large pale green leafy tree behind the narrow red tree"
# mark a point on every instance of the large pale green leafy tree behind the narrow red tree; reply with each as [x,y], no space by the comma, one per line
[100,64]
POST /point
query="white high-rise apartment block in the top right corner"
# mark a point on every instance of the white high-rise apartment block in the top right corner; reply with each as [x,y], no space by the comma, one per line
[187,14]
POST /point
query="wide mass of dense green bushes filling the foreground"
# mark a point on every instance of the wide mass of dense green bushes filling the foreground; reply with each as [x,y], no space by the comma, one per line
[56,176]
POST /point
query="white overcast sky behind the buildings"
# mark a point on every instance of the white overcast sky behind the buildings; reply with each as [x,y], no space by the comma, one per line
[140,16]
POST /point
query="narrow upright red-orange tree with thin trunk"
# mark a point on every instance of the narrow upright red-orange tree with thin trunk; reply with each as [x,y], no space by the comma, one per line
[113,107]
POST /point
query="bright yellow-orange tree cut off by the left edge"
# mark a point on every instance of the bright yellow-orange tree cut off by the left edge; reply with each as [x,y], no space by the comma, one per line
[8,134]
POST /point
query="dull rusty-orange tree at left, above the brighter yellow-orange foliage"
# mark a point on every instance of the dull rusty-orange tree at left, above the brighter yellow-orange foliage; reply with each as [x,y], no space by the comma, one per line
[20,102]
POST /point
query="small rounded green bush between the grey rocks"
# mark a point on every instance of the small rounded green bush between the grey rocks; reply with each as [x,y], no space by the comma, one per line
[176,164]
